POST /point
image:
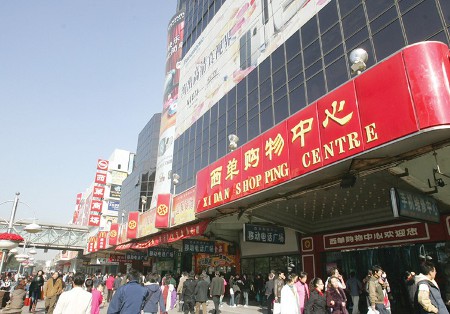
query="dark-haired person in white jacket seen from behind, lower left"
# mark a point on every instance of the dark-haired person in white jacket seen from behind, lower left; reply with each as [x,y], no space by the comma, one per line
[75,301]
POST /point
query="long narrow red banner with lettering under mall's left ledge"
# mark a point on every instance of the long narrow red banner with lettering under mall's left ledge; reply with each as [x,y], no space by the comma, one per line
[173,235]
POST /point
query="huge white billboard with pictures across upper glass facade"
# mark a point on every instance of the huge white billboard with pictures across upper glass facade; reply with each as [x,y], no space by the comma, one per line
[239,37]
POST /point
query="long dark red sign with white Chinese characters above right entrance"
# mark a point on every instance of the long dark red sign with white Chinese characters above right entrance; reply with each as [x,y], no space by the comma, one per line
[393,234]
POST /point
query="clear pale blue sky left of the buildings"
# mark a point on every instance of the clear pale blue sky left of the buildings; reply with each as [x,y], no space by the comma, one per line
[78,79]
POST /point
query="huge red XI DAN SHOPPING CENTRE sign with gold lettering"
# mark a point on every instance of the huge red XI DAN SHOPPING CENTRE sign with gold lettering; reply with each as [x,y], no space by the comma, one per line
[355,118]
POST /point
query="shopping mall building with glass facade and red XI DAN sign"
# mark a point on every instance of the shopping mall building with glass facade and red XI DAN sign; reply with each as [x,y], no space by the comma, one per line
[284,150]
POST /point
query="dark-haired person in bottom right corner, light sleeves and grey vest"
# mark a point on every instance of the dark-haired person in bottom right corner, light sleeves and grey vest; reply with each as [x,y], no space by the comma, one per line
[428,298]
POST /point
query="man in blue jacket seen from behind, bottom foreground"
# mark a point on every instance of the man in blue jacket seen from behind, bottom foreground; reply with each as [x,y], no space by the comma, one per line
[130,297]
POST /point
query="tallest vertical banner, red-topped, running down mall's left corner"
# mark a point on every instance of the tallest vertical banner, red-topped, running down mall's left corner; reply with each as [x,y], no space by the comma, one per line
[170,105]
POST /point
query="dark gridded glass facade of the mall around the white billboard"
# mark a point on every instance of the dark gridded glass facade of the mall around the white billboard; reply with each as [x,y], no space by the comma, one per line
[308,65]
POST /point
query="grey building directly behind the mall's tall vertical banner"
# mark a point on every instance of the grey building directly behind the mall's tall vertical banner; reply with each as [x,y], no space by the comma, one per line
[140,182]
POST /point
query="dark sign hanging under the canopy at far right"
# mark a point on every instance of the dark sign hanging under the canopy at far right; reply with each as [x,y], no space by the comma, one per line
[414,205]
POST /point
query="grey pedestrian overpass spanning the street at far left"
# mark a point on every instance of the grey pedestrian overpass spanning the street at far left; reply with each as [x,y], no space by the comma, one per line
[52,236]
